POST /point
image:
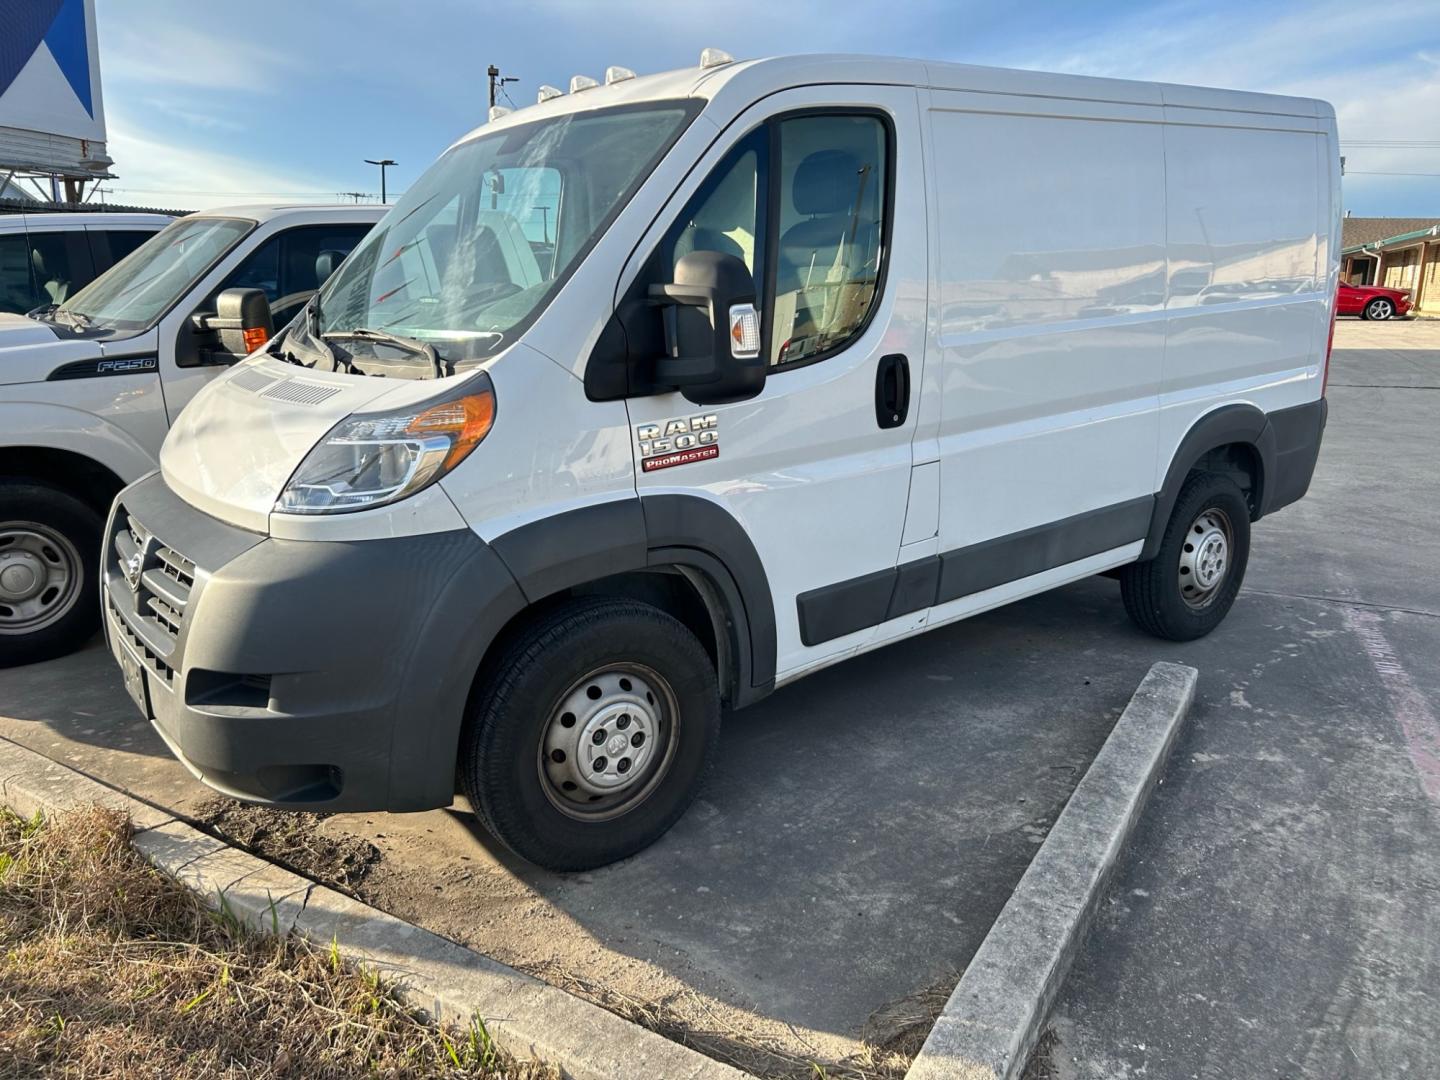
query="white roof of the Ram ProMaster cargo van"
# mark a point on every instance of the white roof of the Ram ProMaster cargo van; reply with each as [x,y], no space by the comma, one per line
[752,80]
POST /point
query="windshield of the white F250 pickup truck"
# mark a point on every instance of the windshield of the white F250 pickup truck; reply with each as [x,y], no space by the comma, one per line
[148,283]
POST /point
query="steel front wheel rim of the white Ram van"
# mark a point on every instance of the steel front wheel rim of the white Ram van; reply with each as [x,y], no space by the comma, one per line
[608,742]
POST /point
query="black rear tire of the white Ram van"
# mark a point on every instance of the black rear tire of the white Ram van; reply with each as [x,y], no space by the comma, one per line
[1154,594]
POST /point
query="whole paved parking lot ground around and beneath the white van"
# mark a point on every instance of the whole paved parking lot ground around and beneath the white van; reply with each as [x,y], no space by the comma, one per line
[866,826]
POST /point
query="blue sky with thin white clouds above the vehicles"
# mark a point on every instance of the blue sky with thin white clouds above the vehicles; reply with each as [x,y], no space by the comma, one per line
[212,104]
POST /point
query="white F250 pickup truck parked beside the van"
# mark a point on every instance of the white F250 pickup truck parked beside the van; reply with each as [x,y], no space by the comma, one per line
[90,388]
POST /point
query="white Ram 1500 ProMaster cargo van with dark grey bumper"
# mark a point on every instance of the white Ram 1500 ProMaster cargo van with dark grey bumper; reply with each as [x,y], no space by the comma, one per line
[662,394]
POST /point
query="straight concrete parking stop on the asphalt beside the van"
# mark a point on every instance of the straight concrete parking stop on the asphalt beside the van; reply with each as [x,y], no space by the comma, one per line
[996,1014]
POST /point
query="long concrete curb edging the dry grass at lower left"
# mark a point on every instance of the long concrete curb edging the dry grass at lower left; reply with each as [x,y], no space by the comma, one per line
[454,984]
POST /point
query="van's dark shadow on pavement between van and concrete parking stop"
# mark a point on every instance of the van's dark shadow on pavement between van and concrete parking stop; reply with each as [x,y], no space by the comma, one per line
[865,827]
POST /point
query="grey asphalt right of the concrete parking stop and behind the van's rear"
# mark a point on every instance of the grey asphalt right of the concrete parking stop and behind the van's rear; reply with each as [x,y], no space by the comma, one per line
[1279,911]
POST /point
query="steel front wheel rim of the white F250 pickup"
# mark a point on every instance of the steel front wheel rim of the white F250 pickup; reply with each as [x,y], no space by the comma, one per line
[41,575]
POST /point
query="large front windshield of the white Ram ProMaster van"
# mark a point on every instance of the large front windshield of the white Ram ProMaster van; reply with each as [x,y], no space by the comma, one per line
[476,250]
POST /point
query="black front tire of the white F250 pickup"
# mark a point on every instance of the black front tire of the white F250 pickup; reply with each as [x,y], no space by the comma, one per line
[35,510]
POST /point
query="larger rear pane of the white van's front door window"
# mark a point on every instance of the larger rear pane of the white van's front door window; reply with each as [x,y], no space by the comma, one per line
[832,233]
